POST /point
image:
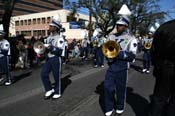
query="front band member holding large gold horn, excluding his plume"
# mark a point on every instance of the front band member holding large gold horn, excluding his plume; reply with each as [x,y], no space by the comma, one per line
[117,73]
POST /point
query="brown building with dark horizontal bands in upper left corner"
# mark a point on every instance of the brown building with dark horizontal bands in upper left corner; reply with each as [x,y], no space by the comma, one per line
[23,7]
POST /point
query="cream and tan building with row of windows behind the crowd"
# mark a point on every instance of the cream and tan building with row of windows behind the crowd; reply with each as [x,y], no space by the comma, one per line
[37,24]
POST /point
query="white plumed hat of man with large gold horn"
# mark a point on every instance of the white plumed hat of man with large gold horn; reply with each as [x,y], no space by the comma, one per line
[124,13]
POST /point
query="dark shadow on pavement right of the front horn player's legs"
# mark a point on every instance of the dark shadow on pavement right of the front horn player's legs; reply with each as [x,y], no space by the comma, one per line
[137,102]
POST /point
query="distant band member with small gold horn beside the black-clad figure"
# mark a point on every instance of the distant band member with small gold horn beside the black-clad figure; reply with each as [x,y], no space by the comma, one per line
[147,43]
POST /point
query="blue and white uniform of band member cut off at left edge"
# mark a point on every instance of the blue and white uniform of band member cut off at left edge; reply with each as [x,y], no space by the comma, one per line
[4,58]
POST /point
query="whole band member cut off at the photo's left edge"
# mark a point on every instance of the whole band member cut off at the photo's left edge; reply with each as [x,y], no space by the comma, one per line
[4,57]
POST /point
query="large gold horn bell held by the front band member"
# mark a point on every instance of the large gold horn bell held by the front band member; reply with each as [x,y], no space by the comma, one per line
[111,49]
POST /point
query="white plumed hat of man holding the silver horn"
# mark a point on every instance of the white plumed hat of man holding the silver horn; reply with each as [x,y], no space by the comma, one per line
[56,21]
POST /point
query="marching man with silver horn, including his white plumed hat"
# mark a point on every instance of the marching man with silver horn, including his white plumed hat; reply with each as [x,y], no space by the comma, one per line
[55,50]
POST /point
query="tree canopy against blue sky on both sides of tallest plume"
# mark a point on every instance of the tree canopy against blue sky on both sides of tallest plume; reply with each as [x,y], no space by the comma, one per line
[144,13]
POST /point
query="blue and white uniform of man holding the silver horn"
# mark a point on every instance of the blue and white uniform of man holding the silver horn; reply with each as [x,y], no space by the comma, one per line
[53,62]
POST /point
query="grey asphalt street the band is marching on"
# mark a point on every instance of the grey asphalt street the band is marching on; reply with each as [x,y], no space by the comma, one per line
[82,92]
